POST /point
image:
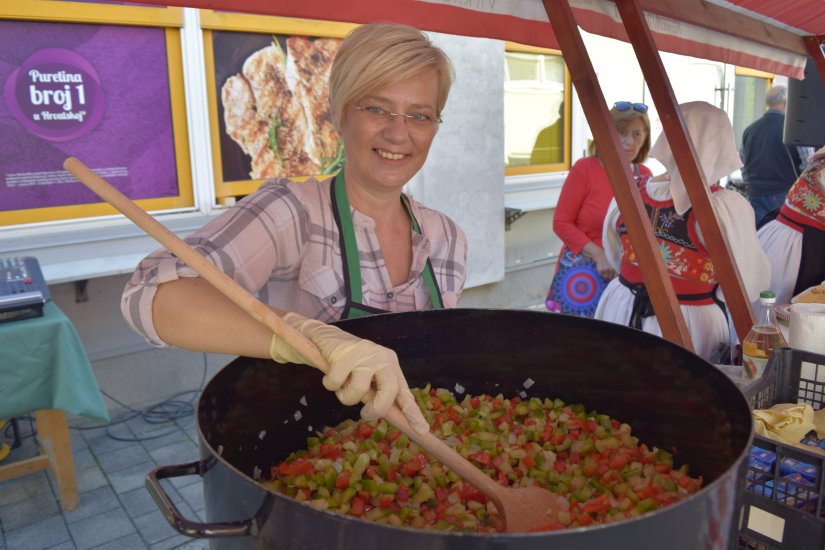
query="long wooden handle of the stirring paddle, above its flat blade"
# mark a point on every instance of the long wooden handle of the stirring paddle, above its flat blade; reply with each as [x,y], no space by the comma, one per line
[243,298]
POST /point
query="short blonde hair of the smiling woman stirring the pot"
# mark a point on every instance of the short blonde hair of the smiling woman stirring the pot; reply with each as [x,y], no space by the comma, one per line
[382,54]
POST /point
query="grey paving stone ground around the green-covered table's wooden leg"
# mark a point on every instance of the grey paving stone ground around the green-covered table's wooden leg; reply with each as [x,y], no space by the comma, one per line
[116,511]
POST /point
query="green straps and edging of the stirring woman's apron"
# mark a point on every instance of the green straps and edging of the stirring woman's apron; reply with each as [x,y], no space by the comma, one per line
[349,255]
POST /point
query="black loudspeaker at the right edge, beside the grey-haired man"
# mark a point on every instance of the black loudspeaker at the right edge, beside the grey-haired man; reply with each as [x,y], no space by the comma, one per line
[805,115]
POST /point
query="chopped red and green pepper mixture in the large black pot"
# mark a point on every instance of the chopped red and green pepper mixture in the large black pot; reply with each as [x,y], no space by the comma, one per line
[373,471]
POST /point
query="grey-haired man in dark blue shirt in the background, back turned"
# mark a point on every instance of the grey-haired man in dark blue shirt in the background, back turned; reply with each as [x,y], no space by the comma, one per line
[769,165]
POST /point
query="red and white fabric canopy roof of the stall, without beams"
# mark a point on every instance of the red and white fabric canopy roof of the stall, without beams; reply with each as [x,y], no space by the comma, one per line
[761,34]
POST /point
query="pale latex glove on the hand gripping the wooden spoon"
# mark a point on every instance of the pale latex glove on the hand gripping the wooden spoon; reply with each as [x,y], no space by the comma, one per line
[354,364]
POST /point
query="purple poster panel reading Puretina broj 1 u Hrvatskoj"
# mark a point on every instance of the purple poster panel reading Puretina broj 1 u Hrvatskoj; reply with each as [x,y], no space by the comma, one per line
[99,93]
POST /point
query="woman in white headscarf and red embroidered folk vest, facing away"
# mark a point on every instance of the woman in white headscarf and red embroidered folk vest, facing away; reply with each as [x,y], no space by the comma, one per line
[688,263]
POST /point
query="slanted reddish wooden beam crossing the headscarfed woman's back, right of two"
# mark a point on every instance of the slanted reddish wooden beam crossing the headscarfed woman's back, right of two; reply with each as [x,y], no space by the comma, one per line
[685,157]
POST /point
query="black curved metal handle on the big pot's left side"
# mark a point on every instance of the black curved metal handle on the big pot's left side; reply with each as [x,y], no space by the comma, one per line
[173,516]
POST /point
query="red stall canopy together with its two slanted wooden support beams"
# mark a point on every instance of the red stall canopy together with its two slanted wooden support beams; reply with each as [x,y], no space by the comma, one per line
[771,35]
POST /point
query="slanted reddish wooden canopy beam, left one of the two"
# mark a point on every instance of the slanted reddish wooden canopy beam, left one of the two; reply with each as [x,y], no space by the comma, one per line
[625,190]
